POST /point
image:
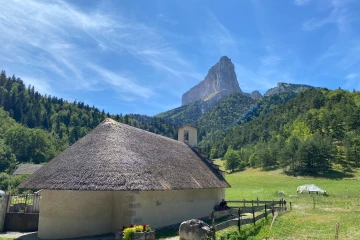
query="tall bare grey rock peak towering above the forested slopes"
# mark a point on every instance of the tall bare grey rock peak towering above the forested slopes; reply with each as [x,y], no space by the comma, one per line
[220,81]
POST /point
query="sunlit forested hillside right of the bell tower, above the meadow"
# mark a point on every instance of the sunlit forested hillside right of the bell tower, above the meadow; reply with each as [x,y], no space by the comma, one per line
[306,135]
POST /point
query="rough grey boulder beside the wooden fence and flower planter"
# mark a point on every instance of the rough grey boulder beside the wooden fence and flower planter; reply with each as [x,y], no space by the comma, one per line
[194,229]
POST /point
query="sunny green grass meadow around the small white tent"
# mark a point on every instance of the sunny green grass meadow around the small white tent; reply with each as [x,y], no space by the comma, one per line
[342,205]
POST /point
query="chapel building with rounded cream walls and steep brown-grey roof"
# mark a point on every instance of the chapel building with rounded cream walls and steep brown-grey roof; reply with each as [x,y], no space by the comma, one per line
[119,175]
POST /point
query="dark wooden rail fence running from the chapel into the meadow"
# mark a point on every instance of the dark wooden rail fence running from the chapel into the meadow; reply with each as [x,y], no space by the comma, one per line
[243,214]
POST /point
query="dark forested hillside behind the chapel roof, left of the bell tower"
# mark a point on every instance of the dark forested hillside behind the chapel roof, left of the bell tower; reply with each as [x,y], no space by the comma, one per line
[34,128]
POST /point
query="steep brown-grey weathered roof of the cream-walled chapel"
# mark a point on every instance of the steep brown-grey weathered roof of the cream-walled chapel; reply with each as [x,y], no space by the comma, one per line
[115,156]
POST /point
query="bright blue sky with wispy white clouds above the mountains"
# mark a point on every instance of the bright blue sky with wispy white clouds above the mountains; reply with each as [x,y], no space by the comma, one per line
[141,56]
